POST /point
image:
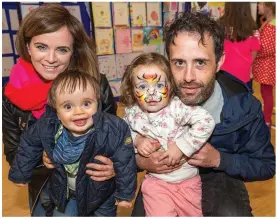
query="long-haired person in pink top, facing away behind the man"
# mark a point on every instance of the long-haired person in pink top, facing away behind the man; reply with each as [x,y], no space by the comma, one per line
[241,42]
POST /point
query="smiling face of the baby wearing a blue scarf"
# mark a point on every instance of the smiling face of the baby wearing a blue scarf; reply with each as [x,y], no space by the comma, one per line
[75,109]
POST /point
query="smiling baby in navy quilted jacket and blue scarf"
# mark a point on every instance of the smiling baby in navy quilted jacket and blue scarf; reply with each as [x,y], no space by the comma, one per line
[72,133]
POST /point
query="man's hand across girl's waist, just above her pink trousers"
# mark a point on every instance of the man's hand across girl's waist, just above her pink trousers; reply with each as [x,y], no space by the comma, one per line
[157,162]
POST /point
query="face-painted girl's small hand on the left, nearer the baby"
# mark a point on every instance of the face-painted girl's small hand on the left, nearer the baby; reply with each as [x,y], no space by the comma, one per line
[146,146]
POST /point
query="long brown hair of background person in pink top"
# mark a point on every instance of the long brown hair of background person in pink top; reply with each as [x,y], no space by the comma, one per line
[238,21]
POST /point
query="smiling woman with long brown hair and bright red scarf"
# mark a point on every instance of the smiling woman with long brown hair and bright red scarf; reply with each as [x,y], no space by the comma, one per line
[49,41]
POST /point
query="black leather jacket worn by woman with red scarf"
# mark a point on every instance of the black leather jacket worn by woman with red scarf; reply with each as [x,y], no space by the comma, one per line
[14,121]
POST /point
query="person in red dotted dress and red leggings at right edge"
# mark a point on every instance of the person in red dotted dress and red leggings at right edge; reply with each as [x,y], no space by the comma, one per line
[264,67]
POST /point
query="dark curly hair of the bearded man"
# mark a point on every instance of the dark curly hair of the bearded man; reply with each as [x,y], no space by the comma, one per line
[195,23]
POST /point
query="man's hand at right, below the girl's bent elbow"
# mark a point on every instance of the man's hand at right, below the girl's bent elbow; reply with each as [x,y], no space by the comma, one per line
[207,156]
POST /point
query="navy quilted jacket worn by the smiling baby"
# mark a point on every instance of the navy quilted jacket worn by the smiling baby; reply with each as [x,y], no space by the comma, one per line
[110,137]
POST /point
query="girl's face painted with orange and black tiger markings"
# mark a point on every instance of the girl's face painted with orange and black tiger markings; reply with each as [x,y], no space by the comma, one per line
[151,88]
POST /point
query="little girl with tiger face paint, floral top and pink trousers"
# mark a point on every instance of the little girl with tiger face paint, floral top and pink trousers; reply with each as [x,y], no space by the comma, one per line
[154,111]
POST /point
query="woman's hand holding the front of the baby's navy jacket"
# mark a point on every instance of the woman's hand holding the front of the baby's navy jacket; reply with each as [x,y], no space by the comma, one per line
[102,172]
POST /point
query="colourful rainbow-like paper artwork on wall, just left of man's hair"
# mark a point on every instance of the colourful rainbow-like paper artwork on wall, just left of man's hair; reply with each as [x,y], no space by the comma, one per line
[152,35]
